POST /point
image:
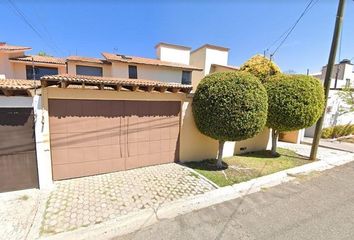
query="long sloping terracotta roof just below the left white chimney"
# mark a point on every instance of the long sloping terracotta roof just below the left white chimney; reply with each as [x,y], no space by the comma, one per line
[147,61]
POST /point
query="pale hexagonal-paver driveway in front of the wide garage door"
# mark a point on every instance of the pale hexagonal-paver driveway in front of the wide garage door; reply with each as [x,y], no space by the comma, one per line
[86,201]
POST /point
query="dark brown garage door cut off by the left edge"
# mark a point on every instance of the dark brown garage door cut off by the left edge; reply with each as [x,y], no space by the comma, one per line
[18,165]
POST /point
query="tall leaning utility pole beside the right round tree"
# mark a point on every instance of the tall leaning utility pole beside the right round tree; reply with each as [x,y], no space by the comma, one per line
[327,82]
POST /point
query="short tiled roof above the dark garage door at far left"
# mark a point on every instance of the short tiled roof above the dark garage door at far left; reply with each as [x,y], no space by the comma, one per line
[13,87]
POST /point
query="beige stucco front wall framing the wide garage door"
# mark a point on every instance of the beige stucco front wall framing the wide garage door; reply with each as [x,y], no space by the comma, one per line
[194,146]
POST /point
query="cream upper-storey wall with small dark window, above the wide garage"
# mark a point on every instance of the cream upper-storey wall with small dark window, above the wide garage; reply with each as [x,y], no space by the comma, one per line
[163,74]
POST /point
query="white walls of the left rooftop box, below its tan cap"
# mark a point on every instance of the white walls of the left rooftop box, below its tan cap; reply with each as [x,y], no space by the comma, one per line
[170,54]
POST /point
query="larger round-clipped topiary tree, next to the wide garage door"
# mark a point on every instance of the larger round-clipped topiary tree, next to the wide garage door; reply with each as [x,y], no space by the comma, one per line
[230,106]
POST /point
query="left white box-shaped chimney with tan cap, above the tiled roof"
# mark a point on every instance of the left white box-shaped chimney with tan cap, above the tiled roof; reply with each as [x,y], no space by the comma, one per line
[173,53]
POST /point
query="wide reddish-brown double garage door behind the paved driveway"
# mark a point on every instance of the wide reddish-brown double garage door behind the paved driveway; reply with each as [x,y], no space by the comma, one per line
[97,136]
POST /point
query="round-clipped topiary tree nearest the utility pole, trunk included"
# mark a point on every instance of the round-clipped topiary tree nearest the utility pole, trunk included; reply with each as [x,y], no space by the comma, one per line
[294,102]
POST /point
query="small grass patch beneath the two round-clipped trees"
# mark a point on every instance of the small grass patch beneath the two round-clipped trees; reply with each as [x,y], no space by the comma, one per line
[247,166]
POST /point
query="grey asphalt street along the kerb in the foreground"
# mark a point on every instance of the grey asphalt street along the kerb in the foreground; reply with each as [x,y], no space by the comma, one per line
[317,206]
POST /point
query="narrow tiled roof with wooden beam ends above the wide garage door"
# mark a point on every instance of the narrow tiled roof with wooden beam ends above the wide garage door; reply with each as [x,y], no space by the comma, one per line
[104,82]
